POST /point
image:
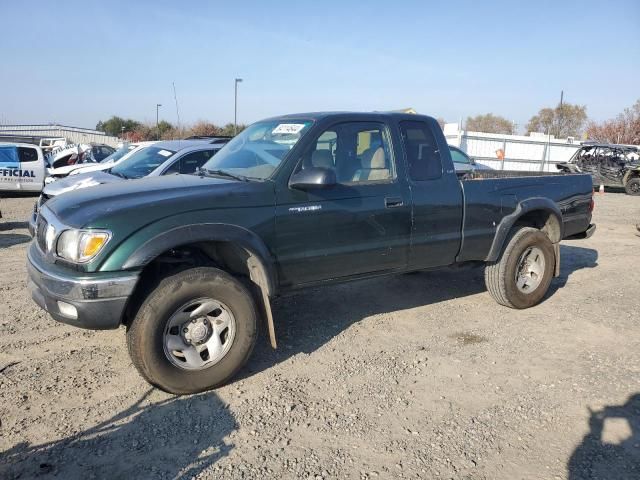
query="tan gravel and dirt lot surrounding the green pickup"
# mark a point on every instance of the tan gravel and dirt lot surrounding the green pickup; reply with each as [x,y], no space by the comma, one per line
[417,376]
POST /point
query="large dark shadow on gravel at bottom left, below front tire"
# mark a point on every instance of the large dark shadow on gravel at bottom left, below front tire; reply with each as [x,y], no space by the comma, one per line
[176,438]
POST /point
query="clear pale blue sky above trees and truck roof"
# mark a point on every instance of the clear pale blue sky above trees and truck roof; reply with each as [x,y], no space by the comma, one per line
[76,63]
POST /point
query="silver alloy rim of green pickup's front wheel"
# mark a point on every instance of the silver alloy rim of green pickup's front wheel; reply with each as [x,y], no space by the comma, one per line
[199,334]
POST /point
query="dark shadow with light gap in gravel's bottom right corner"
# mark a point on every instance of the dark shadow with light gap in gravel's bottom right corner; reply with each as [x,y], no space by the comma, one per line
[611,449]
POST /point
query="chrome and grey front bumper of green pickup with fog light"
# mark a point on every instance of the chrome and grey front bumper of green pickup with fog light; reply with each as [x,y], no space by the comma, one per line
[99,299]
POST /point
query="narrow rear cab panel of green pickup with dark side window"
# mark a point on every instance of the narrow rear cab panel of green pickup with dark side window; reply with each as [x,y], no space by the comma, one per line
[436,196]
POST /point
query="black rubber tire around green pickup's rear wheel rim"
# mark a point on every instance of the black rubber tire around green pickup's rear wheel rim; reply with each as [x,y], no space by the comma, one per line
[500,276]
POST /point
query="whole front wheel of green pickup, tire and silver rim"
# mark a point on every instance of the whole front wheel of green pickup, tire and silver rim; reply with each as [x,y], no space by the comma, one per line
[194,331]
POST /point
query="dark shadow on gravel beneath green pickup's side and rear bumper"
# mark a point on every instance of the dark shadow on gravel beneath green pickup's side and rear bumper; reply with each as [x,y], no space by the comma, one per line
[307,320]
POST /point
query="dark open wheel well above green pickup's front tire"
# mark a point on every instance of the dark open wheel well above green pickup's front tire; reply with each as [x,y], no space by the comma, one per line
[226,256]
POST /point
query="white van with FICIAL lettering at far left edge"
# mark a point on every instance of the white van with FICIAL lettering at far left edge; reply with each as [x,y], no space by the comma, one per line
[22,167]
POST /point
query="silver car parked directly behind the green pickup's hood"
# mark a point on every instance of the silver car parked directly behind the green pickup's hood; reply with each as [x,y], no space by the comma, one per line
[162,158]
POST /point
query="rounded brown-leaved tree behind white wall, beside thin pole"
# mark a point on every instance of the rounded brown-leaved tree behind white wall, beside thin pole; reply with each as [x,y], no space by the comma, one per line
[566,121]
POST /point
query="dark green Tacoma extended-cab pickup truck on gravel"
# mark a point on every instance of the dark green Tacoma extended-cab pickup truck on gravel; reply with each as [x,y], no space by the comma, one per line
[190,263]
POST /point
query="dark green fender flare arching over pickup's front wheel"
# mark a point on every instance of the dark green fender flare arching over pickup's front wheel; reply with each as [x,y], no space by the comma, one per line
[261,258]
